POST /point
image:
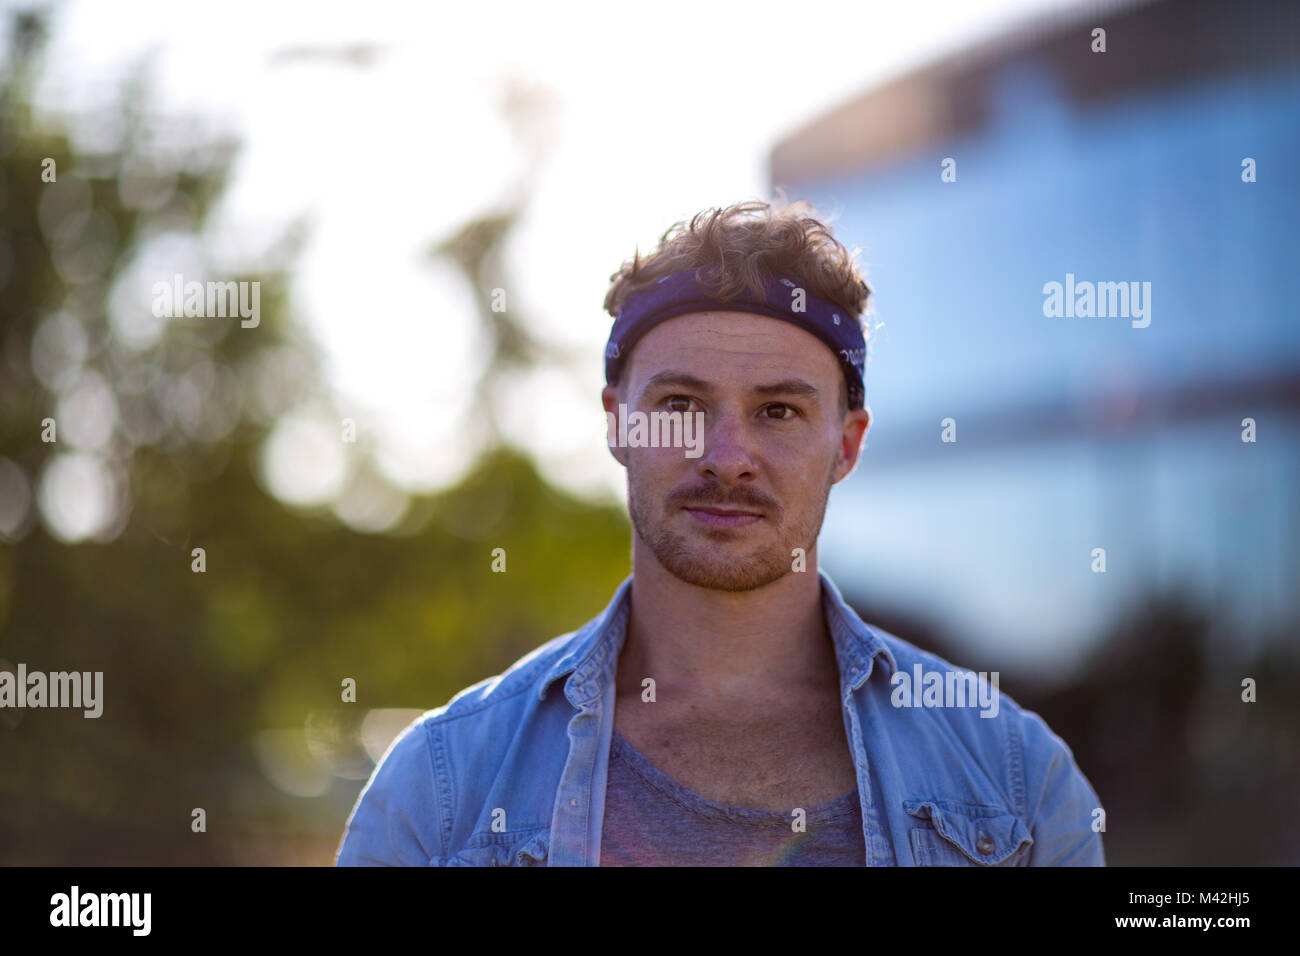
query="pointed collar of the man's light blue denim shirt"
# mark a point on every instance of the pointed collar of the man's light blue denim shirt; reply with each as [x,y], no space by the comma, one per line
[596,646]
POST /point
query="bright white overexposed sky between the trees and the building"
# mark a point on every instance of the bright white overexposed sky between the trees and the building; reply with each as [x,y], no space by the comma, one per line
[664,110]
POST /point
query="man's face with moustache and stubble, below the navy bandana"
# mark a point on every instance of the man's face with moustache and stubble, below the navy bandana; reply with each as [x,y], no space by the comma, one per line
[774,443]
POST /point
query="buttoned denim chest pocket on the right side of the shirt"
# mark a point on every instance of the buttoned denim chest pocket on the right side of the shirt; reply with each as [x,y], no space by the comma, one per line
[954,834]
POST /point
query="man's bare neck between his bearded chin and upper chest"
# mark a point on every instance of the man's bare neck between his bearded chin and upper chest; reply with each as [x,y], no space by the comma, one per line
[722,647]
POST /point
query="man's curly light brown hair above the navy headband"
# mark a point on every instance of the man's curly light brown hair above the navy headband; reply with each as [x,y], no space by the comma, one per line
[744,244]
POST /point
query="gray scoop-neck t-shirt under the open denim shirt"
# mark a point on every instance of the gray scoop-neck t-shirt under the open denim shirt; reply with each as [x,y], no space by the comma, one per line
[653,821]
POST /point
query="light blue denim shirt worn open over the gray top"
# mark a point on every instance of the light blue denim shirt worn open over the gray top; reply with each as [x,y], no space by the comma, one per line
[513,771]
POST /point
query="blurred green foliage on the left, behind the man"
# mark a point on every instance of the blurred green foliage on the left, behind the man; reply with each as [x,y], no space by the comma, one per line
[198,668]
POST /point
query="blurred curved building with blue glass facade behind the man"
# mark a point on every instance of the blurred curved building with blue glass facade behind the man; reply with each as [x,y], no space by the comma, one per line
[1073,434]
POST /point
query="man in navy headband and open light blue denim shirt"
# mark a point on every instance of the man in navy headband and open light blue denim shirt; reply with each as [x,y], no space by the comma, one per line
[729,708]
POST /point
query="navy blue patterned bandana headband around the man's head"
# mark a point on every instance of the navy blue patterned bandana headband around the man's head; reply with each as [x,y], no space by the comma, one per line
[682,293]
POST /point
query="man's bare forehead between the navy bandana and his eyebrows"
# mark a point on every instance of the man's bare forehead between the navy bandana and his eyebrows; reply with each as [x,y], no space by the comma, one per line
[713,344]
